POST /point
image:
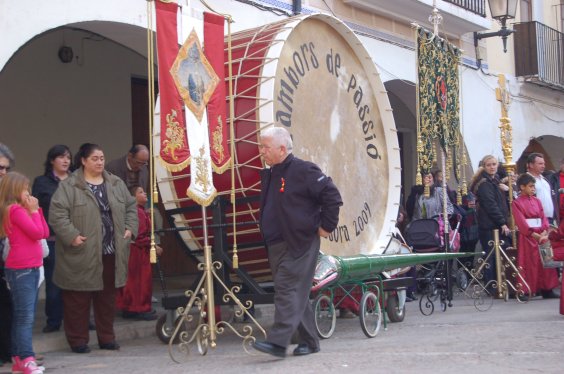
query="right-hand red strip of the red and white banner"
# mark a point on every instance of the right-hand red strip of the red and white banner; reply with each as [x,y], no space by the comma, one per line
[218,127]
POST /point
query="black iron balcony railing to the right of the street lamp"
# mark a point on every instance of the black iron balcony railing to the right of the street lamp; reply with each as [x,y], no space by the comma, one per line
[539,53]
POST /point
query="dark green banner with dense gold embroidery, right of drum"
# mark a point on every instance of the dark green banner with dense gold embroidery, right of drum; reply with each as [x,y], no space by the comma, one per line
[438,99]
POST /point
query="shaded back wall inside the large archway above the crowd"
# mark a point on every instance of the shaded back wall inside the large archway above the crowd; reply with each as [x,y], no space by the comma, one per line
[44,102]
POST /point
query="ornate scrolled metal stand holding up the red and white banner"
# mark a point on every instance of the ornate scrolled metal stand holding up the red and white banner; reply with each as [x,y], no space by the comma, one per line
[202,298]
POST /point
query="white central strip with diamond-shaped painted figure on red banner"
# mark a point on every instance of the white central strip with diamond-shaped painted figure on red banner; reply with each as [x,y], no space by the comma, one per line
[195,79]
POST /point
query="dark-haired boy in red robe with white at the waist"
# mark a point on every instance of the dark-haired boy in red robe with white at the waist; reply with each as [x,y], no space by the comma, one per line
[533,226]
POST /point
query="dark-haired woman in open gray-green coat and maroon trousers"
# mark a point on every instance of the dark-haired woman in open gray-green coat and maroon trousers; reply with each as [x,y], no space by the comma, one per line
[94,218]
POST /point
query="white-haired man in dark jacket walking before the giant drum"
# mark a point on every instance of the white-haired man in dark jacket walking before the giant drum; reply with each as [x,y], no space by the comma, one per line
[299,204]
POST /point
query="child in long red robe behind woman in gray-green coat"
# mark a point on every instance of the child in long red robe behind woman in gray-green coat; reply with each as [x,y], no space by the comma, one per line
[134,300]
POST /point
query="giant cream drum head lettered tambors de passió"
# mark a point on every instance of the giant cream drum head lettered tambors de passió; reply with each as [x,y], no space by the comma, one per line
[328,94]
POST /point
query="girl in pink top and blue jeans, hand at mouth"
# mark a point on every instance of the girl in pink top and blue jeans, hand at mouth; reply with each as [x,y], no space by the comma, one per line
[22,222]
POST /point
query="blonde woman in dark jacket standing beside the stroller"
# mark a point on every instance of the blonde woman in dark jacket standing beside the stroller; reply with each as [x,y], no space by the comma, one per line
[491,208]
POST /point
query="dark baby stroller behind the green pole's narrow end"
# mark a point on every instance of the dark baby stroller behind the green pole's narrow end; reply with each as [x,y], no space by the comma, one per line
[426,236]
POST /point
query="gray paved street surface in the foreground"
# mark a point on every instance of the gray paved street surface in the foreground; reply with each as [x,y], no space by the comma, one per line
[509,338]
